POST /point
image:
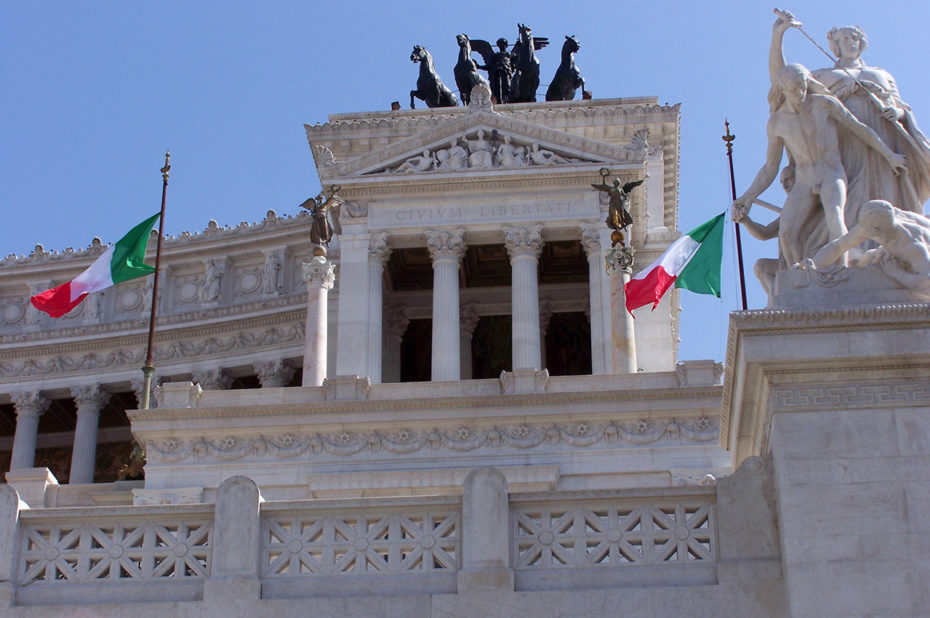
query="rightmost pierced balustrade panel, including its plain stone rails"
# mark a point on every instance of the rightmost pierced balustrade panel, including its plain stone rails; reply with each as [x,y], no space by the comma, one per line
[597,539]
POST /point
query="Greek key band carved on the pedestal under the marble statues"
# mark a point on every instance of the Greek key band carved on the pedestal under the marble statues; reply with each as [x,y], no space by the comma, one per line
[863,395]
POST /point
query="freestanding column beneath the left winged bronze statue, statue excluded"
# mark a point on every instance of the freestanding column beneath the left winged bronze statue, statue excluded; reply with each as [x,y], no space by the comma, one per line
[320,276]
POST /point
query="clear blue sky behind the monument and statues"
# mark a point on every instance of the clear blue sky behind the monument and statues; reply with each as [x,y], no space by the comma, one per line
[92,93]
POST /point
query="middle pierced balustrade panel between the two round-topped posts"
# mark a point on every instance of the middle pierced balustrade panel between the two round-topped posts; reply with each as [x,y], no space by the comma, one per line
[317,547]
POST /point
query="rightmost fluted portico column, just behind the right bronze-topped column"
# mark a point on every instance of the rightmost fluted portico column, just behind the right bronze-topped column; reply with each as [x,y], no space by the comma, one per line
[599,291]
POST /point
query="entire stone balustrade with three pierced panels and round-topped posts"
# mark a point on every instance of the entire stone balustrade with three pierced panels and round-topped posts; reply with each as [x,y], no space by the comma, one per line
[241,546]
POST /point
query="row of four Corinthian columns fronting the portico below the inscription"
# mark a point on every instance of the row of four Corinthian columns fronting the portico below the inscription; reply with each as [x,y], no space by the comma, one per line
[363,341]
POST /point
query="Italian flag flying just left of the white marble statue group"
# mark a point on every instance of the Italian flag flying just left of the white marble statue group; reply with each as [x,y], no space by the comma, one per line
[692,262]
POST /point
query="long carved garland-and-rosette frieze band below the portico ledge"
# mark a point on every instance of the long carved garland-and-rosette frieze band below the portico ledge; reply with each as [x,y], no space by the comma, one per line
[577,434]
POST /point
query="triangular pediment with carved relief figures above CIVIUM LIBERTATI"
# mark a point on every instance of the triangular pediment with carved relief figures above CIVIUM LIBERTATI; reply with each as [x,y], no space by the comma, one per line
[481,142]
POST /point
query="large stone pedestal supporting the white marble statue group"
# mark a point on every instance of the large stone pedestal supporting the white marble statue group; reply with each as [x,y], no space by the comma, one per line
[840,400]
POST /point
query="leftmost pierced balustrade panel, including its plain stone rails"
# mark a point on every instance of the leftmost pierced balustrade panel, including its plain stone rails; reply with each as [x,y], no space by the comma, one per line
[85,553]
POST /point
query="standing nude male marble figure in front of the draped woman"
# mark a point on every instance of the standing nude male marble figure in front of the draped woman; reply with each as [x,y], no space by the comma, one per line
[804,120]
